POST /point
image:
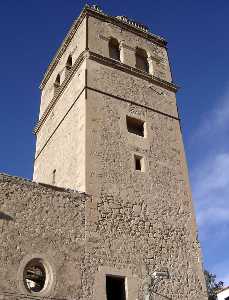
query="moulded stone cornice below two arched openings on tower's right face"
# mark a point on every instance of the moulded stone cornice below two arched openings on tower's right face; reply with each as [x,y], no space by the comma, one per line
[133,71]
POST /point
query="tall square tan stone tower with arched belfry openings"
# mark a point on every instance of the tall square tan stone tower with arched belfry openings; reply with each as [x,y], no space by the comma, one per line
[109,126]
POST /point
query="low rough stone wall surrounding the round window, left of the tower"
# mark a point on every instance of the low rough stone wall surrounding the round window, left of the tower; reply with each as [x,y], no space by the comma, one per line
[46,221]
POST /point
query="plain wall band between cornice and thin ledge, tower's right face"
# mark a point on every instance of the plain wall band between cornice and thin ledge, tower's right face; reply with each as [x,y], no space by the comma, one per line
[129,87]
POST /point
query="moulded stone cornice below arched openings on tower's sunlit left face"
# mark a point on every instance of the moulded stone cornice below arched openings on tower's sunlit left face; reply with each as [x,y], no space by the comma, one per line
[53,102]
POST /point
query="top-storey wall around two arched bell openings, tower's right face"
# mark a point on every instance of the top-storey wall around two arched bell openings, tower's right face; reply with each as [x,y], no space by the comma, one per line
[100,31]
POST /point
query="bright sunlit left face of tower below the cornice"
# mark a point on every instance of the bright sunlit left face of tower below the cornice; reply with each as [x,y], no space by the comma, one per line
[60,142]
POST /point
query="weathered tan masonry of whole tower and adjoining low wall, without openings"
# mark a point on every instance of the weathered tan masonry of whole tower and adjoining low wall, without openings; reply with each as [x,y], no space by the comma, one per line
[134,223]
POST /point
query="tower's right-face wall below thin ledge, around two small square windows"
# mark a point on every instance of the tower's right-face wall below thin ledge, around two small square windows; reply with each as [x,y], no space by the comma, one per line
[145,219]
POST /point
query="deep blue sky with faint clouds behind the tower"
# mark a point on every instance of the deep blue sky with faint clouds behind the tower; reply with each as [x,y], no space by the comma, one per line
[197,32]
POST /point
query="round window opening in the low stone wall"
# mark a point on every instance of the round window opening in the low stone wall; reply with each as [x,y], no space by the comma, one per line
[35,275]
